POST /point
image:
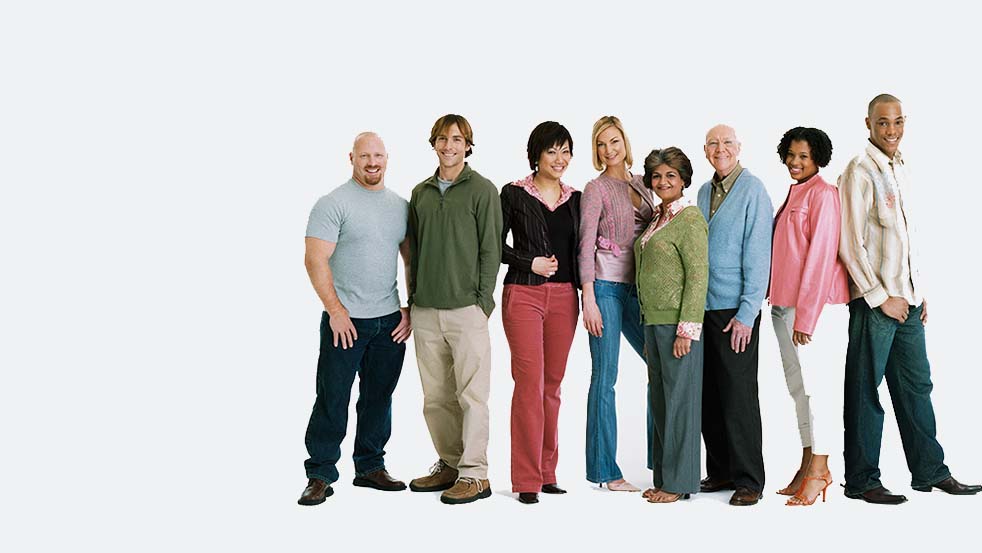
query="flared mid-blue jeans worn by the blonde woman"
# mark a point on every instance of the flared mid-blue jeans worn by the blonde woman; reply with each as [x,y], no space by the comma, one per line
[621,314]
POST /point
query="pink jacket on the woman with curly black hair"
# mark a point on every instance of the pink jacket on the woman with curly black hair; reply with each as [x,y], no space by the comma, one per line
[806,272]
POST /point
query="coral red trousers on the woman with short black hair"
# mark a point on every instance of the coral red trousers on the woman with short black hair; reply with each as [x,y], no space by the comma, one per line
[539,323]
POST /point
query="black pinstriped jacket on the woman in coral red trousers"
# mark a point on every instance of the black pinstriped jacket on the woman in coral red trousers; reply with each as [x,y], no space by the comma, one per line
[522,216]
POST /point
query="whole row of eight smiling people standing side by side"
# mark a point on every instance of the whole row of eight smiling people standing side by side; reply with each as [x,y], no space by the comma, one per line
[682,281]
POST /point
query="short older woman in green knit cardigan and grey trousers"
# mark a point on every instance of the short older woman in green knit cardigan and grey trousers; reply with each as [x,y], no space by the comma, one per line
[672,264]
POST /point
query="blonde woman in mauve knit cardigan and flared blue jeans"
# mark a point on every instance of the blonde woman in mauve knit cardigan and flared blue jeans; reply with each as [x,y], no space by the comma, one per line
[615,209]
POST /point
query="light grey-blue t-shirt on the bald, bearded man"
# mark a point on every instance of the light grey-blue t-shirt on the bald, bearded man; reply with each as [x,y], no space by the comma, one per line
[367,226]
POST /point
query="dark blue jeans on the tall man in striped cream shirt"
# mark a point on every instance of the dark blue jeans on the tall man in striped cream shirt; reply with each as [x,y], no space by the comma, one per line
[880,346]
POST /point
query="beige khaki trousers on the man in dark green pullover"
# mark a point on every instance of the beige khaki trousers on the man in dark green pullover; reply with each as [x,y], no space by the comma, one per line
[453,351]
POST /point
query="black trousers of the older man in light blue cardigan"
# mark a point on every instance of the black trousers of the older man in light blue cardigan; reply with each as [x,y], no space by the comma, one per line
[730,407]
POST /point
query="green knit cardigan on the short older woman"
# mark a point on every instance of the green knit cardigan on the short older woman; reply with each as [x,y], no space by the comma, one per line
[673,270]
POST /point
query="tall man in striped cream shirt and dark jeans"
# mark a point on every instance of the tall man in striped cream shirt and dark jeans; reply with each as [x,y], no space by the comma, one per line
[887,315]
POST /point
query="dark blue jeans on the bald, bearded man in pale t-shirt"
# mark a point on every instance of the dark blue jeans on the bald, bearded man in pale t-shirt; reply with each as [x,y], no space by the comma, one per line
[378,362]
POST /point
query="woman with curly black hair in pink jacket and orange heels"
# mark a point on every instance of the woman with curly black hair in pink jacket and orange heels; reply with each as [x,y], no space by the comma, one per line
[806,274]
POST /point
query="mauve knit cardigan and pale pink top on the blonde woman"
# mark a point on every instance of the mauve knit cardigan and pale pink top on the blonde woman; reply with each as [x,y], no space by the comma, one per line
[609,225]
